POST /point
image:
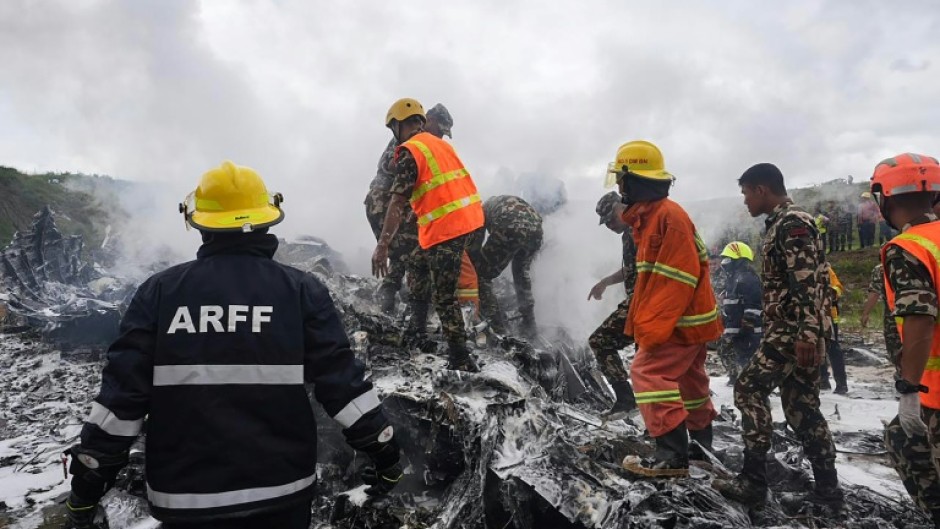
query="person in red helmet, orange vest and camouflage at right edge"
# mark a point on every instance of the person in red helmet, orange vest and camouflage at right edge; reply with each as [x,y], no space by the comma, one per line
[903,187]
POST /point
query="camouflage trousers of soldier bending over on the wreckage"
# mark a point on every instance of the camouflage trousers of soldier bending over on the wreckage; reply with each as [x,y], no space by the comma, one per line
[491,258]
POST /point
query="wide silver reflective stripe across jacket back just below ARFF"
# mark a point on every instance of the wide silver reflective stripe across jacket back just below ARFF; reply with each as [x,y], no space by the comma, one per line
[227,374]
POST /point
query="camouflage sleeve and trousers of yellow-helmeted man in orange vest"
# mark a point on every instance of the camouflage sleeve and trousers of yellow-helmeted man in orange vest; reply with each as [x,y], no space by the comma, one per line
[435,271]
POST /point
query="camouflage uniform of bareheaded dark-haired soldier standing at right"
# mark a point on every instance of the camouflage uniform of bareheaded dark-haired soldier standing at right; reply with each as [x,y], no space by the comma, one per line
[795,282]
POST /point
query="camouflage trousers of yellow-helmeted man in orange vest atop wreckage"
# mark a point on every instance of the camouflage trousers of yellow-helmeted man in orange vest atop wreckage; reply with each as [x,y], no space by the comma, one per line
[435,273]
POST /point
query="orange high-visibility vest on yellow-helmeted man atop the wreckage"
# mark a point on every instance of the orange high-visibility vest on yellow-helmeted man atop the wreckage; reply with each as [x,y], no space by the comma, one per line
[445,199]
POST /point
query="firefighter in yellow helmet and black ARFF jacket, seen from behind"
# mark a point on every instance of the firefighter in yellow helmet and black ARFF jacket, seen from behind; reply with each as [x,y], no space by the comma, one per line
[215,353]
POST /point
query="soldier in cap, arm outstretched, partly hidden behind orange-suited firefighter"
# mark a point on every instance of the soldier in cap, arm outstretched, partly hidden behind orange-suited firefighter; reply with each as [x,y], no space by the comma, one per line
[609,339]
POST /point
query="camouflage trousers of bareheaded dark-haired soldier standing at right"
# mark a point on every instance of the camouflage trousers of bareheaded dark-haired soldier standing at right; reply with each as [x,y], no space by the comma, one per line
[770,368]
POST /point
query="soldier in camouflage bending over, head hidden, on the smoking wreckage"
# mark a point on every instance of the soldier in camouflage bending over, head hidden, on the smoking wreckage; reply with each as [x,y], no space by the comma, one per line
[513,232]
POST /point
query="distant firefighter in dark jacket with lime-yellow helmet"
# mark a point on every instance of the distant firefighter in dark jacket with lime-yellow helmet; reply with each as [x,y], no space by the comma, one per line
[740,309]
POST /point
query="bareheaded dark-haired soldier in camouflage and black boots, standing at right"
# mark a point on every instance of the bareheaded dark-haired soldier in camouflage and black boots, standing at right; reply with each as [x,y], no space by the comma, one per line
[795,282]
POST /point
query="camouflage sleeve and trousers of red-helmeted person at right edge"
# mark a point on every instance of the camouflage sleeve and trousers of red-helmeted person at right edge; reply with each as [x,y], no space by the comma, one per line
[913,457]
